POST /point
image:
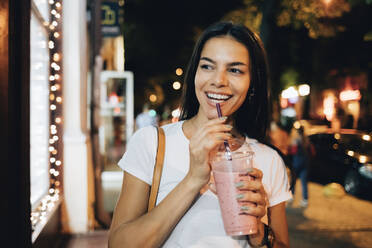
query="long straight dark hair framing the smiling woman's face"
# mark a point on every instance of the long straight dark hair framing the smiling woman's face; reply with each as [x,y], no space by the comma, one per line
[252,117]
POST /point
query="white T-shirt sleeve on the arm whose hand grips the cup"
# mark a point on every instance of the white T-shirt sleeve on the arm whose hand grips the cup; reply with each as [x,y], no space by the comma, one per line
[279,182]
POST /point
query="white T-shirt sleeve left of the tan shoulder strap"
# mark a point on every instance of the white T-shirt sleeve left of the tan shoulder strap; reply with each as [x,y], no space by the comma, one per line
[139,158]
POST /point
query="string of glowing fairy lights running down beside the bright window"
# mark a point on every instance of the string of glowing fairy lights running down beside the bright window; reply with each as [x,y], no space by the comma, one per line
[49,201]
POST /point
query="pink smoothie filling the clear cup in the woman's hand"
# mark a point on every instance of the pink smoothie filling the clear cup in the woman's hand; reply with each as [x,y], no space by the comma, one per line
[226,174]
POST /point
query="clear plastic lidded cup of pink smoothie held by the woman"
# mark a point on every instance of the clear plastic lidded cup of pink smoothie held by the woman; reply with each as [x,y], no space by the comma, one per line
[226,174]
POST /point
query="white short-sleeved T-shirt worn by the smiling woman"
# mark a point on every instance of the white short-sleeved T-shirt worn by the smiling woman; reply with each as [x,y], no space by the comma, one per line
[202,225]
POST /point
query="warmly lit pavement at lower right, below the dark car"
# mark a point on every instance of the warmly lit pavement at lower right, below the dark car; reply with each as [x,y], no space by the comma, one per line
[343,221]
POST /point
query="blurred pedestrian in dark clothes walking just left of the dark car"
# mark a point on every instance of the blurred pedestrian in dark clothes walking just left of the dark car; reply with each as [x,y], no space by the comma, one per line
[300,149]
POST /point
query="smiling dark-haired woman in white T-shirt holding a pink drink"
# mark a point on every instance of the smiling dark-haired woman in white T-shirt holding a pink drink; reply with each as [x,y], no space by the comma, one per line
[228,66]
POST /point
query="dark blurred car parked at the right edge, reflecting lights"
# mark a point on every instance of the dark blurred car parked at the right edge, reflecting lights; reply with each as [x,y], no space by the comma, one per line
[344,157]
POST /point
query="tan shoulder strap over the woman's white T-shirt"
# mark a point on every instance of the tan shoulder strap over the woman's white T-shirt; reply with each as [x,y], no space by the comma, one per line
[157,169]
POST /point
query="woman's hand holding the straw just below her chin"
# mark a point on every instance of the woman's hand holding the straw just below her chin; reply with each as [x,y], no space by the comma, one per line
[202,142]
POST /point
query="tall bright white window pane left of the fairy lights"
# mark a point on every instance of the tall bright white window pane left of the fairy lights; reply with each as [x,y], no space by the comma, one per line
[39,110]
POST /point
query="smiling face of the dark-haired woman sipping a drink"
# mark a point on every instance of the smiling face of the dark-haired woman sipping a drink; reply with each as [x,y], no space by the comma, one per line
[222,76]
